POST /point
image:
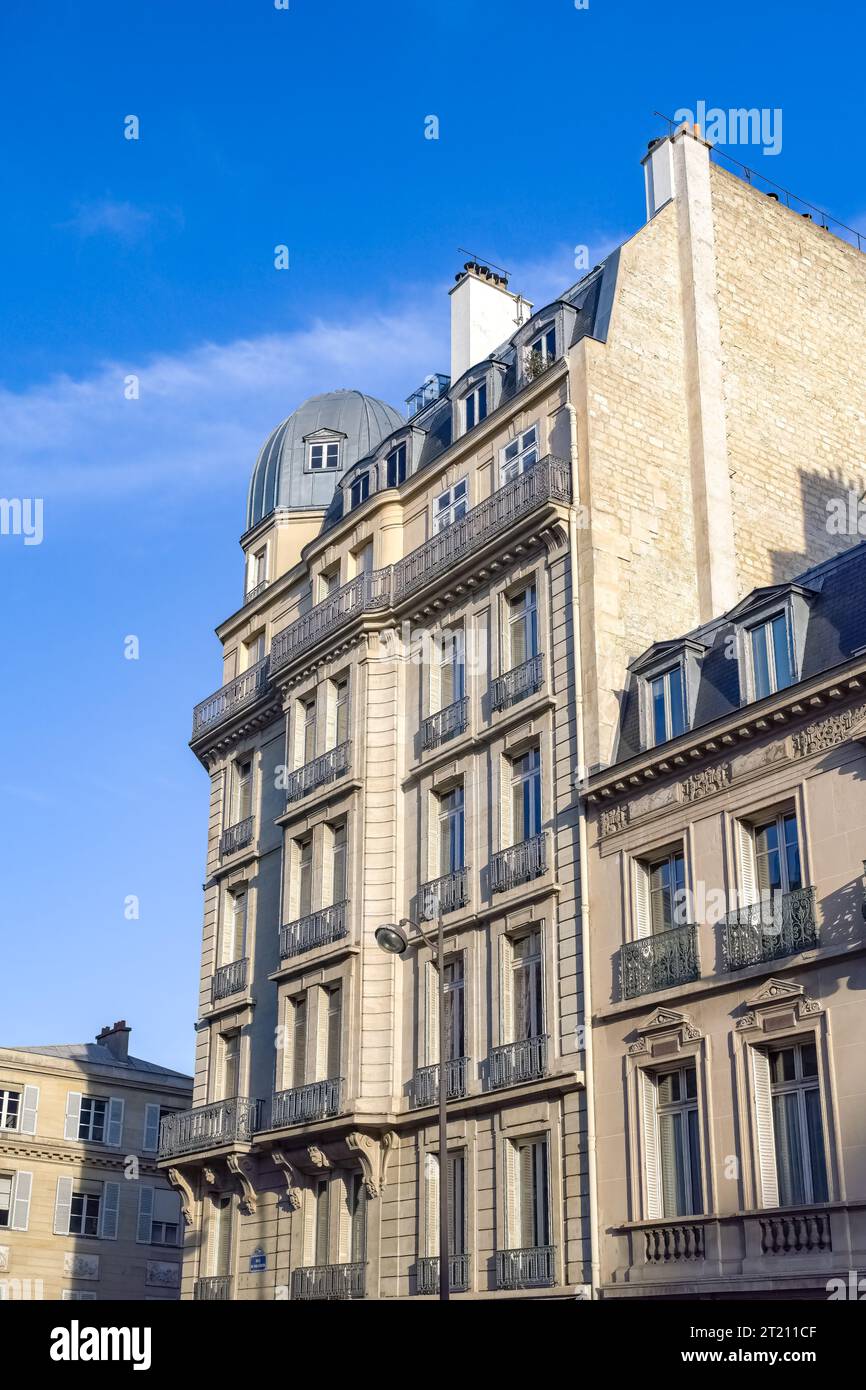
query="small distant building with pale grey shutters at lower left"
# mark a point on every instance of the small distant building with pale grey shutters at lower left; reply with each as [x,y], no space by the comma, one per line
[85,1213]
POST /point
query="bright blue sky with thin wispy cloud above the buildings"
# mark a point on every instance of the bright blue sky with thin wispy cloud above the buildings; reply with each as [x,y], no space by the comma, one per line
[156,258]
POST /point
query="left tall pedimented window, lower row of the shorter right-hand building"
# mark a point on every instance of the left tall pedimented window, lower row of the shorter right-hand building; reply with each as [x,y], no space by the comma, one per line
[679,1142]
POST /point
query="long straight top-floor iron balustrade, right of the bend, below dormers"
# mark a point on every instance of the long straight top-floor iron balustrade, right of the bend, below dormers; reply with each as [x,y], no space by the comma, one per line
[550,480]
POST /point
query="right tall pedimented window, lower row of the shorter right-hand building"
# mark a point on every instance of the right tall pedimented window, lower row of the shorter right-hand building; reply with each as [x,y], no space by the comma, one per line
[799,1129]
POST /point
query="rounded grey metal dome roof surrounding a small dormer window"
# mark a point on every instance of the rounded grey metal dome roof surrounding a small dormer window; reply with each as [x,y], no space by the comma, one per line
[281,477]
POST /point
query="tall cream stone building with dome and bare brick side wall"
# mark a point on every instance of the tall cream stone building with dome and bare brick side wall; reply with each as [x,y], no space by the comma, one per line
[436,633]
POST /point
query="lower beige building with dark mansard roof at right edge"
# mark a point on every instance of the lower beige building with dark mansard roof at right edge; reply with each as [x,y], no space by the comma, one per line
[729,953]
